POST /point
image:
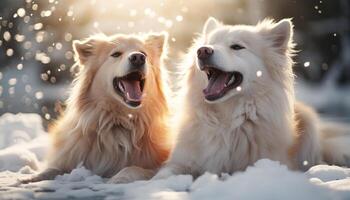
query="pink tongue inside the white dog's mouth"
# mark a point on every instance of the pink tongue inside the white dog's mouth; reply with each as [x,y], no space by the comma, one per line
[216,84]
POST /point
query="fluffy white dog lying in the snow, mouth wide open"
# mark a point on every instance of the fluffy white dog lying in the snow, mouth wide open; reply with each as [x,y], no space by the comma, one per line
[239,105]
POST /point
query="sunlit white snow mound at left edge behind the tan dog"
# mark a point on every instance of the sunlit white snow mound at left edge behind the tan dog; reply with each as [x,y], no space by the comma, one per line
[23,142]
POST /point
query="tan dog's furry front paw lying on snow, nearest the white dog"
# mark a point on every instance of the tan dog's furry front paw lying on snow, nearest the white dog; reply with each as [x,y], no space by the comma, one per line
[130,174]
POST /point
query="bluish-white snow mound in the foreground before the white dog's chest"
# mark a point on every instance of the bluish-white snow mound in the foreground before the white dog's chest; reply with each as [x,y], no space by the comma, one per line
[264,180]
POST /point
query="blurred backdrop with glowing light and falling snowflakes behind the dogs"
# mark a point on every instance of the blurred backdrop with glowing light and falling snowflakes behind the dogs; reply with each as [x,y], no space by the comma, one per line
[36,36]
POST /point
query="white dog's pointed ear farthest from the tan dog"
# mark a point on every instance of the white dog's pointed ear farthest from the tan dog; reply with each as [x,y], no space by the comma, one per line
[281,34]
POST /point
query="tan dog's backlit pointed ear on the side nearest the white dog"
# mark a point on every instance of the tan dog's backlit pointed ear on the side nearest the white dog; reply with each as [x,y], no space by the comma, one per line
[157,41]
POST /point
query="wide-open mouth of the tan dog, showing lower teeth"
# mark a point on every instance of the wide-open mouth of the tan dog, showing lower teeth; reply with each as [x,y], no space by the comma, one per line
[130,87]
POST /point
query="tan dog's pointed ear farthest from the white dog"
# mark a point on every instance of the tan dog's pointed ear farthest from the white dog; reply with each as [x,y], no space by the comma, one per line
[83,49]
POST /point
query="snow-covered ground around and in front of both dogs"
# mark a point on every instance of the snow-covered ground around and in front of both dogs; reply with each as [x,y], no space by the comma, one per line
[23,143]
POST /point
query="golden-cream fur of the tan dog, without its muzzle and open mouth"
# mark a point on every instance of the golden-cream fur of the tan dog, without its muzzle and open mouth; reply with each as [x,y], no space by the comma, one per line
[97,129]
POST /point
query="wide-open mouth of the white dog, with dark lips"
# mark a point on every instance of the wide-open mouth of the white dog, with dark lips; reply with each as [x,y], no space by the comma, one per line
[220,82]
